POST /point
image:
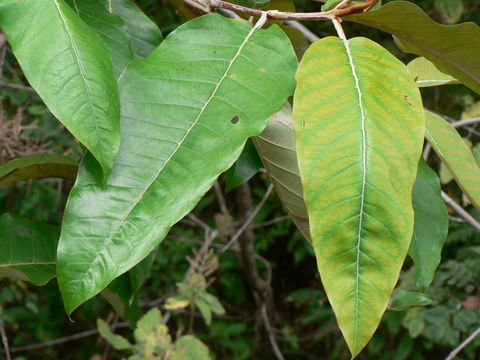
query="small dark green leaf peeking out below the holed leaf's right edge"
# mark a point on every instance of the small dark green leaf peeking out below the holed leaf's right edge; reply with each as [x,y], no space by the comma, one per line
[247,165]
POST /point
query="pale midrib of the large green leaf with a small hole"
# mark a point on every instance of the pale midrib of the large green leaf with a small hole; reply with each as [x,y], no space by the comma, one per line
[197,119]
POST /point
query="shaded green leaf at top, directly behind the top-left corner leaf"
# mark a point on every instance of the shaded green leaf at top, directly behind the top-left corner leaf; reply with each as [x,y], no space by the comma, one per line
[110,27]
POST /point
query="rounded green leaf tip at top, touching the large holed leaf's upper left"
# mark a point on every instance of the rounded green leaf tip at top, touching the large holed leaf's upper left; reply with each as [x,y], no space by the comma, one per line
[144,35]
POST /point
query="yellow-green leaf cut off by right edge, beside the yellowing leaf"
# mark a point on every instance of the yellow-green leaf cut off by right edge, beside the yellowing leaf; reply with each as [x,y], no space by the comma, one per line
[456,155]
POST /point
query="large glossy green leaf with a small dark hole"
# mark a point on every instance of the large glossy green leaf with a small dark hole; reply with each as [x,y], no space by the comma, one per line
[177,137]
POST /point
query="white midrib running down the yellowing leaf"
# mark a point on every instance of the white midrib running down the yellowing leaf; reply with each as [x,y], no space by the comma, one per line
[362,194]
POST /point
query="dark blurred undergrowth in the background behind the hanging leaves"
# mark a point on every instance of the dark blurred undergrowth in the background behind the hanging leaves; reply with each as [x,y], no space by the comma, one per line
[304,323]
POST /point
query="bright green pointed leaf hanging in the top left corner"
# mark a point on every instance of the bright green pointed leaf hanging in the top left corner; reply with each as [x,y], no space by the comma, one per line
[71,70]
